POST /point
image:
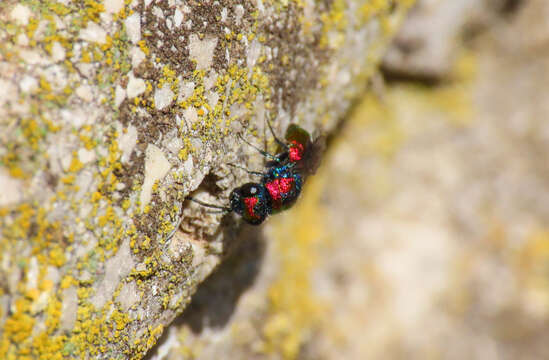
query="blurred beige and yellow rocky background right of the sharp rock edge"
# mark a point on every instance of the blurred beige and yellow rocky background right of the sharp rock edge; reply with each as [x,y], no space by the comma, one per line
[425,233]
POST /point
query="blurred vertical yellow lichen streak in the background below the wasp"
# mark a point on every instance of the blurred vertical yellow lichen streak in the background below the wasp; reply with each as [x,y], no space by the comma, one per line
[294,310]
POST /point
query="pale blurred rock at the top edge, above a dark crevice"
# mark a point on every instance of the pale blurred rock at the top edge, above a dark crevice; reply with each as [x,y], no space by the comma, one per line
[427,45]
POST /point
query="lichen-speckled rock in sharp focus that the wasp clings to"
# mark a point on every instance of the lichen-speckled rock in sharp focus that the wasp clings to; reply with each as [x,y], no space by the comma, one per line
[112,112]
